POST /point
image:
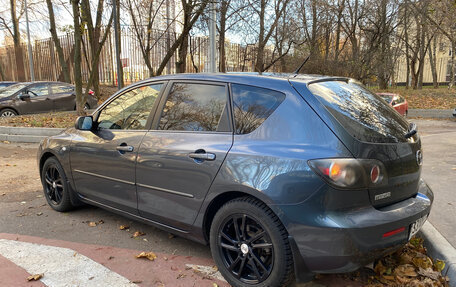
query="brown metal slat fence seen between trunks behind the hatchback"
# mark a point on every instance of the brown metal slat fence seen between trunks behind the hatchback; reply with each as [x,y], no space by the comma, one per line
[48,67]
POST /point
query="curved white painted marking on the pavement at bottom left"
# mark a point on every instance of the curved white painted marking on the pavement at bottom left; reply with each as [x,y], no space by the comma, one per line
[61,266]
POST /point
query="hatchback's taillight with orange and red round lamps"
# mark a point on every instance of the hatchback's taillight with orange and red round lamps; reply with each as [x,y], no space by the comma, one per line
[350,172]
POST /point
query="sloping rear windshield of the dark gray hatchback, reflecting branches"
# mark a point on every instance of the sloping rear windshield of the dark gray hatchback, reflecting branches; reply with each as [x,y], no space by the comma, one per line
[362,113]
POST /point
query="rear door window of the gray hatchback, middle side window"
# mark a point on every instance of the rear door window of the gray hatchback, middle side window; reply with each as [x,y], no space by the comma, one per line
[194,107]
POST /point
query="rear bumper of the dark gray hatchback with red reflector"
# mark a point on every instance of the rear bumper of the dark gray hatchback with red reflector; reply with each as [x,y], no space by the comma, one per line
[353,239]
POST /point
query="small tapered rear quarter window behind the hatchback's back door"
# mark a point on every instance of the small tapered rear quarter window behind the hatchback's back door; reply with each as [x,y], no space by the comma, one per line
[252,106]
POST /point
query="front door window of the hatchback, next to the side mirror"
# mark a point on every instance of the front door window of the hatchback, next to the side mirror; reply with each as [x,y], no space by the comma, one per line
[130,110]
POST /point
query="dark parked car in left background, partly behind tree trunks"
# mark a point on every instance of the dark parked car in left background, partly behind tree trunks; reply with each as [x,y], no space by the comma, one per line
[40,97]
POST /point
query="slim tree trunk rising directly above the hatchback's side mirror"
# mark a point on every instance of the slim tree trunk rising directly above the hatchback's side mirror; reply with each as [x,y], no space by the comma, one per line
[80,101]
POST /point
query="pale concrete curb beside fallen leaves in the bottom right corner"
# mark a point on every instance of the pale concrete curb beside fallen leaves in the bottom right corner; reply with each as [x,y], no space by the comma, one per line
[439,248]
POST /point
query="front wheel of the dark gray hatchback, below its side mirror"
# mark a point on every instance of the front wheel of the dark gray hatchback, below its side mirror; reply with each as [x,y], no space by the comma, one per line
[55,185]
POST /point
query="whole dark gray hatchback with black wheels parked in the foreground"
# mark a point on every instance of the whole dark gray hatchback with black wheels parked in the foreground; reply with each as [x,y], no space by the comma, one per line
[283,175]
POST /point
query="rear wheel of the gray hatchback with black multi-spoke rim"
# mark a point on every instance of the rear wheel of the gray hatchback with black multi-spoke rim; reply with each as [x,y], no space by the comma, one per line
[250,245]
